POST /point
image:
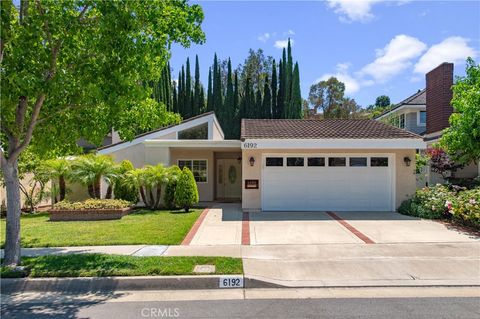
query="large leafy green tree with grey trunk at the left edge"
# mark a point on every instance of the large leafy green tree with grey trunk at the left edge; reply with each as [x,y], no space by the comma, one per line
[72,69]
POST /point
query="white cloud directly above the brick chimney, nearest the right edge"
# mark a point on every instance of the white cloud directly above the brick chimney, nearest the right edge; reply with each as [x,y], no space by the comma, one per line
[452,49]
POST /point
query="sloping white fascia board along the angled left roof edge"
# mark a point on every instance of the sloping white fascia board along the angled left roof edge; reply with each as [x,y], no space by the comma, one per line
[153,135]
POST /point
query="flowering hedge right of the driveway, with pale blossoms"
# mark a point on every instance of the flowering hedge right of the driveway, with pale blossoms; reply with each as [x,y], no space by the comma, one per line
[448,202]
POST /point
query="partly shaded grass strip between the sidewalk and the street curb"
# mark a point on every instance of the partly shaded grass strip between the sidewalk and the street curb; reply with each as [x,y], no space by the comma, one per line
[100,265]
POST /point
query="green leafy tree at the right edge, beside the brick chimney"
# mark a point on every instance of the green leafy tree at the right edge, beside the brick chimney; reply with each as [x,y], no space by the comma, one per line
[462,139]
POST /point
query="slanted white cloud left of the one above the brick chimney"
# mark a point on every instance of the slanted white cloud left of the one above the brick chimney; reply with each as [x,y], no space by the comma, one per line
[394,58]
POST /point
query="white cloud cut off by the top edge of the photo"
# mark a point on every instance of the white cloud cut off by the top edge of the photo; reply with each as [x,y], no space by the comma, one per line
[350,10]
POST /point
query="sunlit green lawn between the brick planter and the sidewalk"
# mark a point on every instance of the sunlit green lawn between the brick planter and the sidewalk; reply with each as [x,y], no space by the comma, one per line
[140,227]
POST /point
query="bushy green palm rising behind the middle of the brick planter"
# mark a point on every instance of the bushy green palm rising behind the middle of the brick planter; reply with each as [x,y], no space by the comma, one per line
[89,169]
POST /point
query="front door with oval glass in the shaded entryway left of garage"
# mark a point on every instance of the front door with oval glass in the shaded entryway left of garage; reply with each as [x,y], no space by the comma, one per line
[229,179]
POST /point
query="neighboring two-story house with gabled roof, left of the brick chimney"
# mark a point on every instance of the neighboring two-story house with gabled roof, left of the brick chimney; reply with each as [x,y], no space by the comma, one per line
[410,114]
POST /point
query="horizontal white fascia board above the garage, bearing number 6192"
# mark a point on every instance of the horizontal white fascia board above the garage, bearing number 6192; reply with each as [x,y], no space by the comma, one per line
[400,143]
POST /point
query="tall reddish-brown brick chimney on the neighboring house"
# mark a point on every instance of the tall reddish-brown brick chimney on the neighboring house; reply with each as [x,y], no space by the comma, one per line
[439,94]
